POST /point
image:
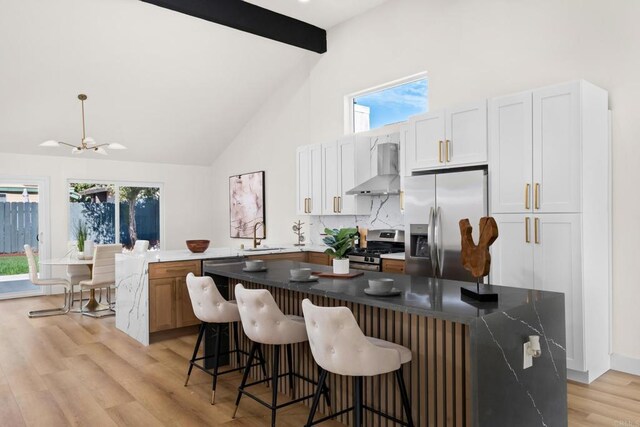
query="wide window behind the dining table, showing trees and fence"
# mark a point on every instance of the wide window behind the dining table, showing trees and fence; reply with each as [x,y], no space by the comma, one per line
[133,210]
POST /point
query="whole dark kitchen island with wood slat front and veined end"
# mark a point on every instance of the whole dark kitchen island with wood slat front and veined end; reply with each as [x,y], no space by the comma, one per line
[467,367]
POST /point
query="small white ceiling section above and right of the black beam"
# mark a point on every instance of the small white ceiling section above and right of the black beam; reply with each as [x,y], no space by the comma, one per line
[321,13]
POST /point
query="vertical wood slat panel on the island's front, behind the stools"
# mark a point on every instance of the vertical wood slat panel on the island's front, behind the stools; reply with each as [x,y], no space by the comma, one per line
[435,376]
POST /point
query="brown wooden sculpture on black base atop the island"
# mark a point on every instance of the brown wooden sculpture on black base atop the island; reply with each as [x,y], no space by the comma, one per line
[476,258]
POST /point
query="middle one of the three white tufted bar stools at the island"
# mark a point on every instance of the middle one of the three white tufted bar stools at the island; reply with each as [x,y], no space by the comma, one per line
[265,324]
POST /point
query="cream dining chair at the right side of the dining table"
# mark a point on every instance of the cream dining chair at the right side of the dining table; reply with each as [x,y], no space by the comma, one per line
[103,276]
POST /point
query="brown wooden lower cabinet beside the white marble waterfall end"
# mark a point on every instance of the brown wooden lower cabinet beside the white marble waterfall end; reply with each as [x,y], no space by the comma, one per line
[169,302]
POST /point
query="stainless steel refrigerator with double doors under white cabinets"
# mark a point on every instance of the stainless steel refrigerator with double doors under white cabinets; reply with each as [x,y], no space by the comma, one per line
[434,204]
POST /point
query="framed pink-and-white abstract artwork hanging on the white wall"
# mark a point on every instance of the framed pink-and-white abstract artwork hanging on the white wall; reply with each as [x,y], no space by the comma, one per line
[246,205]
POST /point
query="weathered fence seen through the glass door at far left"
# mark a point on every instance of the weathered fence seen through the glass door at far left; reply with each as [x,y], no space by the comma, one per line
[18,226]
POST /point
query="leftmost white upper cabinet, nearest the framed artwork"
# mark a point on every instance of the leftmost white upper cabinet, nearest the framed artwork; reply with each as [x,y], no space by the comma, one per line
[309,180]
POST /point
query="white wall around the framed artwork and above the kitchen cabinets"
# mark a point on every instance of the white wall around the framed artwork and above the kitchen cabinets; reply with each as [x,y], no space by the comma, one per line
[471,49]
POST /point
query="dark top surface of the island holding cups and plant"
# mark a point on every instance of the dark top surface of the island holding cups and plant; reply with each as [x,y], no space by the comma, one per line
[420,295]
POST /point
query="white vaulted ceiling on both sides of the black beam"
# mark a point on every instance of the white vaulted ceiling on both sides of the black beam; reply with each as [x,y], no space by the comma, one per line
[172,88]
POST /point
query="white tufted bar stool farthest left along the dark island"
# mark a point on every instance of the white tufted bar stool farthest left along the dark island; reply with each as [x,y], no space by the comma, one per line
[210,307]
